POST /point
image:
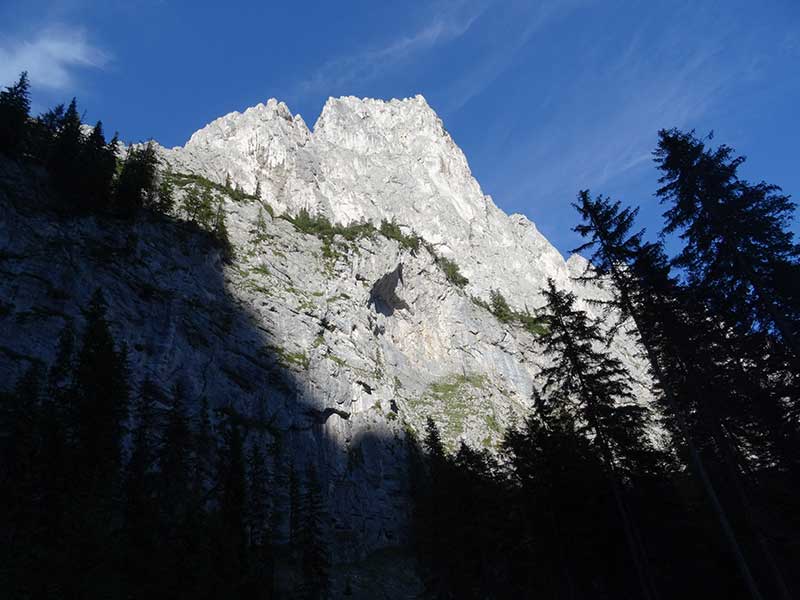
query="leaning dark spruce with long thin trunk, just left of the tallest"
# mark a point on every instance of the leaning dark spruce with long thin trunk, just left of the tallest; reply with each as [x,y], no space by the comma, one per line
[704,392]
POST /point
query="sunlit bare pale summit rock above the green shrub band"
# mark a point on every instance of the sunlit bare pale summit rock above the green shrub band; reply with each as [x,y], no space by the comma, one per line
[369,159]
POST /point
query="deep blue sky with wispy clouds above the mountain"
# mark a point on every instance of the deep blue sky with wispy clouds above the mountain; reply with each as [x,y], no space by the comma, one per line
[545,98]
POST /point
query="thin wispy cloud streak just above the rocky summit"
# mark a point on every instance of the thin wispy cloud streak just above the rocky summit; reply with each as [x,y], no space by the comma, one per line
[449,21]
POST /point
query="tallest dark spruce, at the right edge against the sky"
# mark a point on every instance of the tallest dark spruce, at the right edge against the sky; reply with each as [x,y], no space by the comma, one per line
[743,266]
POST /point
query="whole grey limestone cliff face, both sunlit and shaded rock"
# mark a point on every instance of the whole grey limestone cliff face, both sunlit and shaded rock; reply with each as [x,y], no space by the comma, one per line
[339,350]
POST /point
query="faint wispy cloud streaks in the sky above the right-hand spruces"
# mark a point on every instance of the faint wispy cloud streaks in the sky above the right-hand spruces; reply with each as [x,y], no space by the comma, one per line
[609,114]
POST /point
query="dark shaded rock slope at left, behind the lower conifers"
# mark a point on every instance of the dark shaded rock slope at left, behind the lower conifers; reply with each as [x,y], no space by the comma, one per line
[167,303]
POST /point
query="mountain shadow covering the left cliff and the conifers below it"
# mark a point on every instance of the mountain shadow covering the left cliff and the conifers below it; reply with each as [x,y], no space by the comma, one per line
[224,471]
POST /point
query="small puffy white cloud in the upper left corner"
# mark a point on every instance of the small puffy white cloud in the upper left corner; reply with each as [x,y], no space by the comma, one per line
[51,57]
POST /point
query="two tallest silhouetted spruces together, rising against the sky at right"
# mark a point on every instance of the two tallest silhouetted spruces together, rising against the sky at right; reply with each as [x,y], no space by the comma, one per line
[716,349]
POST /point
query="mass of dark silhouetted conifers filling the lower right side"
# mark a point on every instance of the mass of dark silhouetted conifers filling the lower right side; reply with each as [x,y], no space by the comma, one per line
[579,502]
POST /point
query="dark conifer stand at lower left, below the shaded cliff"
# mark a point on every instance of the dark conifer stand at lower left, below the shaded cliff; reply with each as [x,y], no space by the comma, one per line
[109,490]
